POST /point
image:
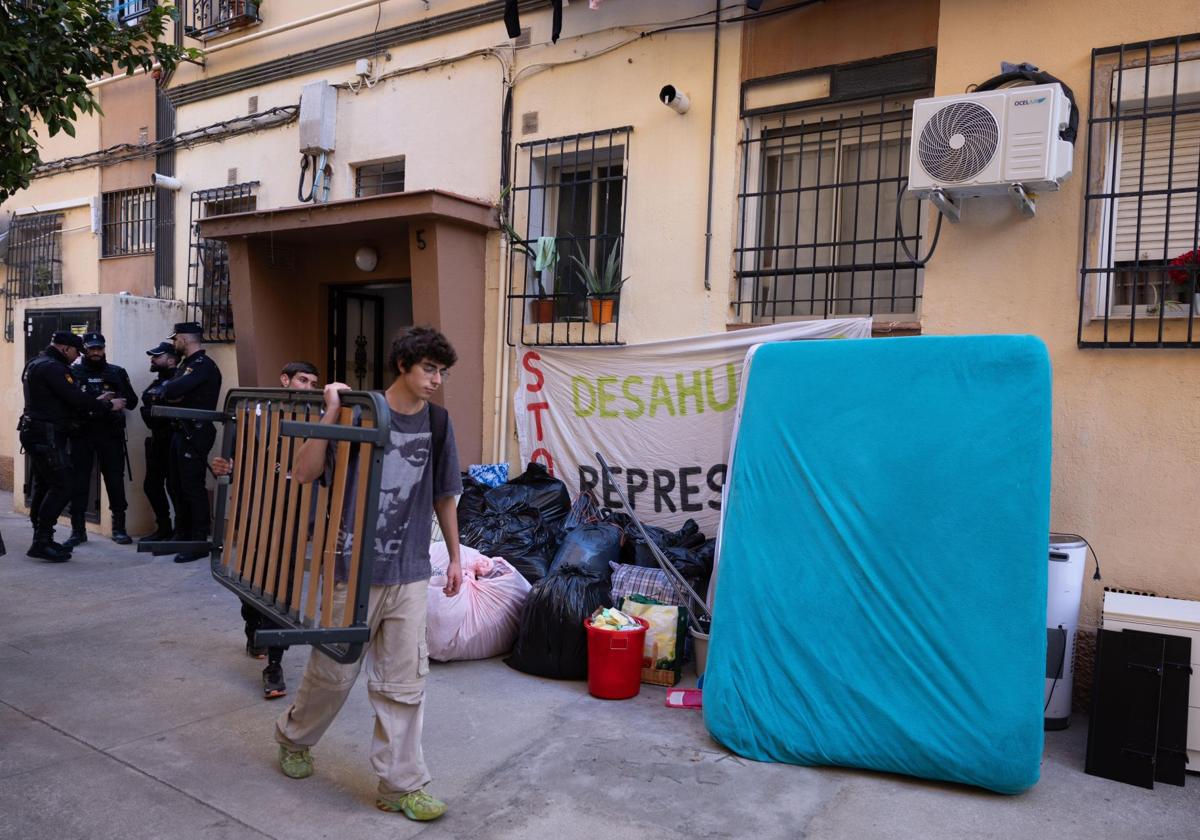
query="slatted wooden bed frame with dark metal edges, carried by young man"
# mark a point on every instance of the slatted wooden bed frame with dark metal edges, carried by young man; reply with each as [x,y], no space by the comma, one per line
[283,545]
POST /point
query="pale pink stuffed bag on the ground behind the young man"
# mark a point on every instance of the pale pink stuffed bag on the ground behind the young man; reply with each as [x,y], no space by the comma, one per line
[482,621]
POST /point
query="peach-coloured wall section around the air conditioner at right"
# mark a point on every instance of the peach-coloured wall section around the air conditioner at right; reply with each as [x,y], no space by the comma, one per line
[1126,423]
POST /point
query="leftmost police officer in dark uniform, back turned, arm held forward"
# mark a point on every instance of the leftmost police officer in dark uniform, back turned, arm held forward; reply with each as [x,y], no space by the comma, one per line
[53,403]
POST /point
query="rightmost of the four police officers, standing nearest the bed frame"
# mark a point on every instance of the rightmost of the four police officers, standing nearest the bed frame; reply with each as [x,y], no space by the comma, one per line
[196,386]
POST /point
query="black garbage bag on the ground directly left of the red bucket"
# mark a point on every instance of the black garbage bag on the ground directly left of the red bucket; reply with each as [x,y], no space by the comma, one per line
[553,641]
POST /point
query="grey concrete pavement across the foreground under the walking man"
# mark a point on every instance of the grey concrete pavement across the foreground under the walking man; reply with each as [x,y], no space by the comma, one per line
[129,710]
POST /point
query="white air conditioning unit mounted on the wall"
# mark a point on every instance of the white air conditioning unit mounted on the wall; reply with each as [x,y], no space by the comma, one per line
[991,143]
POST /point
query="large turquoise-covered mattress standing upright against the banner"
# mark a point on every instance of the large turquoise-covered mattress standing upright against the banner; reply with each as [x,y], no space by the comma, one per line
[881,592]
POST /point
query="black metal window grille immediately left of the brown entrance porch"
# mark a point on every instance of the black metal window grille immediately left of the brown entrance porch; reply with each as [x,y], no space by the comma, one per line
[209,301]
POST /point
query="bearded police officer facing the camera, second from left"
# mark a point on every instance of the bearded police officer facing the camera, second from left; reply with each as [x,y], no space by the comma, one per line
[100,436]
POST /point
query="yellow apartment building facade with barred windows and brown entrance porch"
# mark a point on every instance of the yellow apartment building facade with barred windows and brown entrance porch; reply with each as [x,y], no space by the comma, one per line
[772,196]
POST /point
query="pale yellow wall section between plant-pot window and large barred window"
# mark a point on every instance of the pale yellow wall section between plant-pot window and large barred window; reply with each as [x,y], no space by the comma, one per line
[665,244]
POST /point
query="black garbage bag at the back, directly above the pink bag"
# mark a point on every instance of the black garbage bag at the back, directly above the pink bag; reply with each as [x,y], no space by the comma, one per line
[520,521]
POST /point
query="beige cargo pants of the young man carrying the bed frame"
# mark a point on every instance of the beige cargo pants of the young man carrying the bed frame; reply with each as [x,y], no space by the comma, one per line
[398,662]
